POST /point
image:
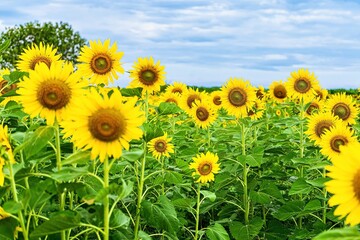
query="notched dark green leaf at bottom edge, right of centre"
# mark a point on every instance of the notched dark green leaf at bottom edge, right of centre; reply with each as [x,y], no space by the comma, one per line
[246,232]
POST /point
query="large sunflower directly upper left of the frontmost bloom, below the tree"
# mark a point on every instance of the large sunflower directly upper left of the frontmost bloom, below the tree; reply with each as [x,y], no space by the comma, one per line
[50,92]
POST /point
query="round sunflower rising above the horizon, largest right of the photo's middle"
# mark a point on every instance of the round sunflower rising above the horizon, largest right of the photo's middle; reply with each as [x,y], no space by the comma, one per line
[237,97]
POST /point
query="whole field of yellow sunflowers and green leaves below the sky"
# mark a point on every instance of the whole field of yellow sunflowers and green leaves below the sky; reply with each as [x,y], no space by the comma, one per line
[80,159]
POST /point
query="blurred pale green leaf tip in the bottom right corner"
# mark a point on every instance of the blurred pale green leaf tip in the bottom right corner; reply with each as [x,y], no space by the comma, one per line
[347,233]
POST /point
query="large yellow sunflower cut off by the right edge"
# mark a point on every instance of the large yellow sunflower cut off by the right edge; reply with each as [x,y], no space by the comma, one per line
[345,184]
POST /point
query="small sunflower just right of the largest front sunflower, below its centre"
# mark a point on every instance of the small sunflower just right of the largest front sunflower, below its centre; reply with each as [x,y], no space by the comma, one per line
[161,146]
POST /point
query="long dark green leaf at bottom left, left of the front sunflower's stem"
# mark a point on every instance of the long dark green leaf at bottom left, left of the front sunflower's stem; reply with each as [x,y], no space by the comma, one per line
[61,221]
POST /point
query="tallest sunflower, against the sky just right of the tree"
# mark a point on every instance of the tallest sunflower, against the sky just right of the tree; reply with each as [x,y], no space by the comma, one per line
[100,62]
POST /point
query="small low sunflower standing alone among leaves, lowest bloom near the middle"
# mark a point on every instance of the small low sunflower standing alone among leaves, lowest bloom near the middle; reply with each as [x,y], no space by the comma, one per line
[205,166]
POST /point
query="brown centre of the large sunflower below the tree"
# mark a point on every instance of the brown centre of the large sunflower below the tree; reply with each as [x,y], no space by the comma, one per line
[54,94]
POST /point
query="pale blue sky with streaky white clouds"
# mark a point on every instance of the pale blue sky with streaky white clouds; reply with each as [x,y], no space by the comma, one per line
[204,42]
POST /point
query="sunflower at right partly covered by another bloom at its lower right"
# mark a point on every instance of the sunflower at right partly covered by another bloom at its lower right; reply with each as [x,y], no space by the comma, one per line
[318,123]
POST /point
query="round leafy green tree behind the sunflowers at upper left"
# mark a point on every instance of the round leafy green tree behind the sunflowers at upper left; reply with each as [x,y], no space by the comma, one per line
[60,35]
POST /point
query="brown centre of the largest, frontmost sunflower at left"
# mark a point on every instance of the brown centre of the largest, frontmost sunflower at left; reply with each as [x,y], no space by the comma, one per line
[107,125]
